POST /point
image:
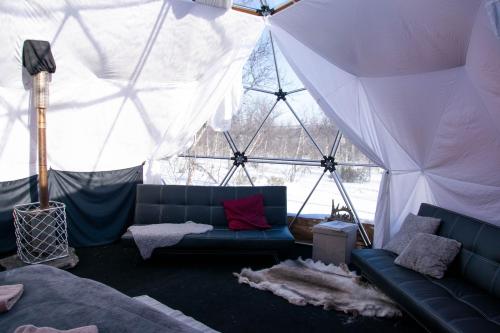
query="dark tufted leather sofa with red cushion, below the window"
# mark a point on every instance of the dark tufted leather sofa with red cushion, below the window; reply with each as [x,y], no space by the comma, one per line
[203,204]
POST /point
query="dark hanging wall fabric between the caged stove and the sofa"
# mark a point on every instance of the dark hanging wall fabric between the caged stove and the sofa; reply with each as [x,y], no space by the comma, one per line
[99,205]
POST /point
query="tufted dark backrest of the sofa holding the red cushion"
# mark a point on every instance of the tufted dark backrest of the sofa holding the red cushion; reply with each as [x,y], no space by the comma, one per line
[202,204]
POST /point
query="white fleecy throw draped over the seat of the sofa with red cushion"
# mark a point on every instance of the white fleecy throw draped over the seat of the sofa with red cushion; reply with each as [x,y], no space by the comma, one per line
[151,236]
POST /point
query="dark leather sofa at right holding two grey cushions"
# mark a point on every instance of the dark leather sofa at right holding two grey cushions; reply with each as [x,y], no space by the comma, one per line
[467,299]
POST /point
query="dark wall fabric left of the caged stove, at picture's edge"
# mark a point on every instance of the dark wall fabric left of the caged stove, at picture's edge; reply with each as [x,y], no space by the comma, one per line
[13,193]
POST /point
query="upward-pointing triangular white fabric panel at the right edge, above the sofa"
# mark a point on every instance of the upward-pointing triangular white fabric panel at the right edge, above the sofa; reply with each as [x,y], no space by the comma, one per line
[467,143]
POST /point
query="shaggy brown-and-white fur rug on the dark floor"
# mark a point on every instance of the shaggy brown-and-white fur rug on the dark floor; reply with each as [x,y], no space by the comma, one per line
[304,282]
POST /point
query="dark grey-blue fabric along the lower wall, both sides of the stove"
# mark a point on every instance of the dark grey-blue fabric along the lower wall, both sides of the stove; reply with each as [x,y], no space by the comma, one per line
[99,205]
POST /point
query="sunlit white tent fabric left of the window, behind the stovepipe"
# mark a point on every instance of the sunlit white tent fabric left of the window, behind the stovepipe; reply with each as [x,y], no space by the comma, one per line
[135,79]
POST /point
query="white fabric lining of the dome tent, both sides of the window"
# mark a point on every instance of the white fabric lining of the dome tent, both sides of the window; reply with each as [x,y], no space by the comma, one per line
[415,85]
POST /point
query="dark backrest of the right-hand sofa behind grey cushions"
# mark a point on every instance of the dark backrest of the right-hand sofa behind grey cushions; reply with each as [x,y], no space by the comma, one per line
[479,258]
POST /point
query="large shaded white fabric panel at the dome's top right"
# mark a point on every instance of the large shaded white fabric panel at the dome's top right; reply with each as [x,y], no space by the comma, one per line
[386,37]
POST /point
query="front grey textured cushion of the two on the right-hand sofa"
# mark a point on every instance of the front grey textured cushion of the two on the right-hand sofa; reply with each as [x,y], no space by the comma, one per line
[429,254]
